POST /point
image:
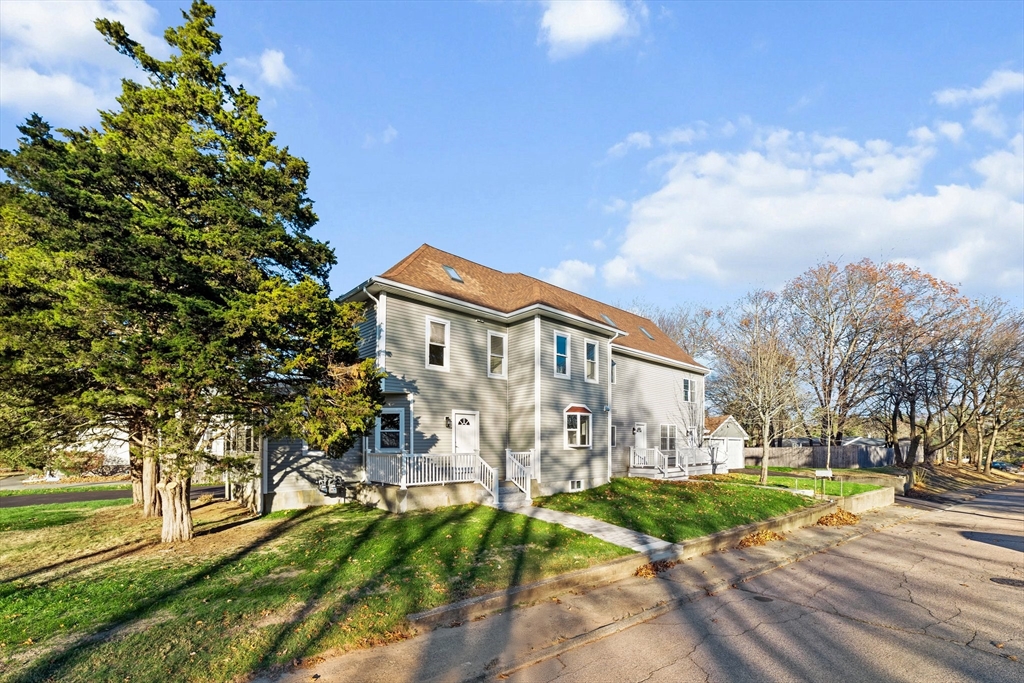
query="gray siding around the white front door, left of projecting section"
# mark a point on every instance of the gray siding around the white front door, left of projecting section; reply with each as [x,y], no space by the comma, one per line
[437,394]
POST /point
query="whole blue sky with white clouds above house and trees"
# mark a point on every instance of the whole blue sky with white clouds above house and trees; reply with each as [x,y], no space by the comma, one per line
[677,153]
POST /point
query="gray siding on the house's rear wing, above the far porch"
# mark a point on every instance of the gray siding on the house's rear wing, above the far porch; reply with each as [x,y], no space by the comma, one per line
[650,393]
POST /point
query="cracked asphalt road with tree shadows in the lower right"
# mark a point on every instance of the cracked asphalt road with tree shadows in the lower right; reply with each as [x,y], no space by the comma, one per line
[937,600]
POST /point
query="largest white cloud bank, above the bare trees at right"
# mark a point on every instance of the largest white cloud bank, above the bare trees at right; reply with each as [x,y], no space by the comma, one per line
[790,199]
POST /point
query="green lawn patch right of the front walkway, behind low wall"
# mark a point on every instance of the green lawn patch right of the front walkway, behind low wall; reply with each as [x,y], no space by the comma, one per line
[675,511]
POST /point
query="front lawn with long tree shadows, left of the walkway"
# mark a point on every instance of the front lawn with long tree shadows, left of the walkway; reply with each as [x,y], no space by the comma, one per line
[87,594]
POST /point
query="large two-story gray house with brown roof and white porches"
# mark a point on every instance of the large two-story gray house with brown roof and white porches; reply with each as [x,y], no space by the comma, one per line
[500,388]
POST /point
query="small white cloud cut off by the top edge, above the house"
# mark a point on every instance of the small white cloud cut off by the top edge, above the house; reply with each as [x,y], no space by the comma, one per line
[570,28]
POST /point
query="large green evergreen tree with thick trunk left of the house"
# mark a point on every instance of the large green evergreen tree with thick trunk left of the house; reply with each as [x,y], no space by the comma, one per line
[175,274]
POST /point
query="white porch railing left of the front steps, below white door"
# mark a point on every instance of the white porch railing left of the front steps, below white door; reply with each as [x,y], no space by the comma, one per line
[431,469]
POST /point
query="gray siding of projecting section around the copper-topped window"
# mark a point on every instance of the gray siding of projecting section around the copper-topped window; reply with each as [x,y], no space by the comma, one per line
[560,464]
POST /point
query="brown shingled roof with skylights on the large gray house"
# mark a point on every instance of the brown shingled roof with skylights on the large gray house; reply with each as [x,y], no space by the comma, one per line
[507,292]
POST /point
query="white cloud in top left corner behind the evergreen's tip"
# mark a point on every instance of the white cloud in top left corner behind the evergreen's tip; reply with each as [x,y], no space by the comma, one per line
[56,63]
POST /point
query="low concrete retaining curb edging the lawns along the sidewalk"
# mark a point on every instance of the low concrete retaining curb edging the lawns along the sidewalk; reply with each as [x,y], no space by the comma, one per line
[609,573]
